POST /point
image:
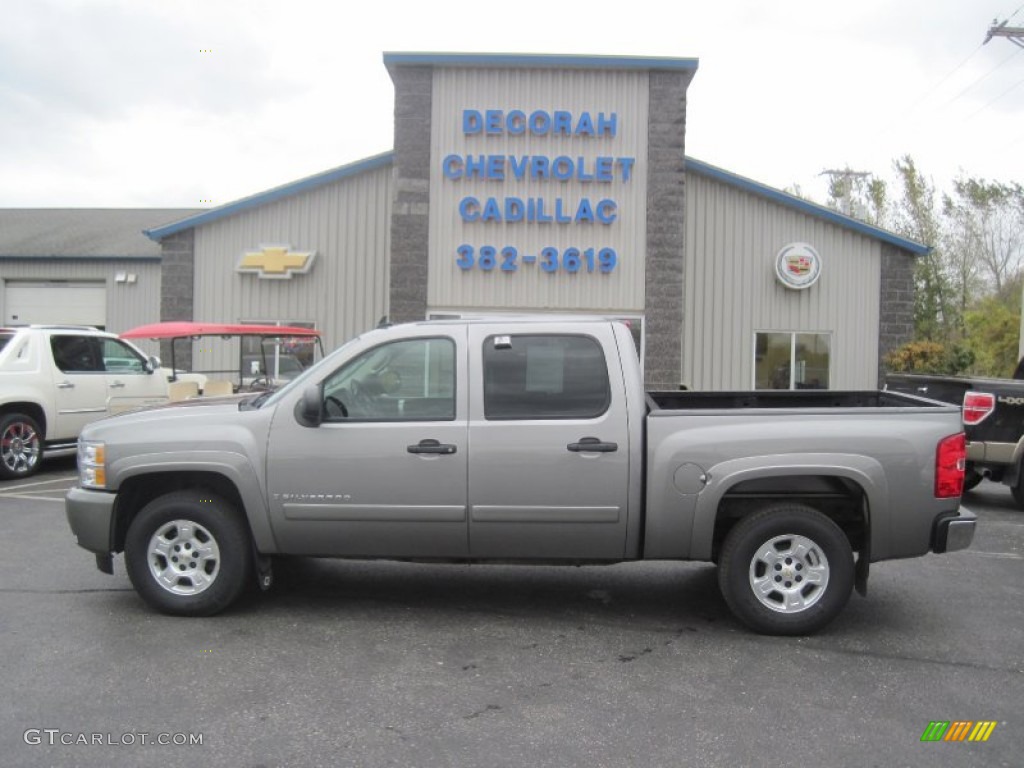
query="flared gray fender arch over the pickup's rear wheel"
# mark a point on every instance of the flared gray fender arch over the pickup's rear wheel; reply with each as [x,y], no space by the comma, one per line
[865,472]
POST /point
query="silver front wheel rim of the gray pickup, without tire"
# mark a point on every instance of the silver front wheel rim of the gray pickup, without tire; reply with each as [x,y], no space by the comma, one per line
[185,559]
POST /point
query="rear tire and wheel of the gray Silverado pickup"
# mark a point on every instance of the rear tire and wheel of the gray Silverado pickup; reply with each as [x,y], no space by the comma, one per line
[802,561]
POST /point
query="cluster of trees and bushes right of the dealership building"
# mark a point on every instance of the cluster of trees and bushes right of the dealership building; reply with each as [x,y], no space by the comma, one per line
[969,286]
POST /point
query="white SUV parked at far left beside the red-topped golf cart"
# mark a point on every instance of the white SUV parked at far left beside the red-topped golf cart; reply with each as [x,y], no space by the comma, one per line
[57,379]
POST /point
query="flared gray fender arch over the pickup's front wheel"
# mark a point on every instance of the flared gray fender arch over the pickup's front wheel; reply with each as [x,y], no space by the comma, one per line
[234,466]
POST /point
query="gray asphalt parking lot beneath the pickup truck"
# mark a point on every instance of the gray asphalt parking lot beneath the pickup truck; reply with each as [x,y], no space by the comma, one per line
[367,664]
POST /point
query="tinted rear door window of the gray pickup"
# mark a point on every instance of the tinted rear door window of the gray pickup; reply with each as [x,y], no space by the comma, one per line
[544,377]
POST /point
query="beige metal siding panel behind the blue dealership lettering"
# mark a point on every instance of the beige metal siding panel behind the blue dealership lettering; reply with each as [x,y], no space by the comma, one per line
[530,288]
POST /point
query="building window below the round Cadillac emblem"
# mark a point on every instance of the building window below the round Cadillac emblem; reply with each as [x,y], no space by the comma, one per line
[792,361]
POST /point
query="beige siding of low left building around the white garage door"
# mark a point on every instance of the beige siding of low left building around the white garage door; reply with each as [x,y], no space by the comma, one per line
[127,306]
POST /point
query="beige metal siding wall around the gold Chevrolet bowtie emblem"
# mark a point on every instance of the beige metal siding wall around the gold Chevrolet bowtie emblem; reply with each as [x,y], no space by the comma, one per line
[346,293]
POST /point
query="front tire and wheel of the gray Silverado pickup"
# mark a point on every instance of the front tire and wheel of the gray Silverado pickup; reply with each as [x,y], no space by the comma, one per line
[189,572]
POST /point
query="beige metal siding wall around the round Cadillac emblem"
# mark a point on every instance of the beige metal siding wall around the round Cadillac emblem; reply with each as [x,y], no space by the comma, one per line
[732,292]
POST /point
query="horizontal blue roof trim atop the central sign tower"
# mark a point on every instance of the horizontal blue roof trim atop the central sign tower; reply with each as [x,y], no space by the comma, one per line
[539,61]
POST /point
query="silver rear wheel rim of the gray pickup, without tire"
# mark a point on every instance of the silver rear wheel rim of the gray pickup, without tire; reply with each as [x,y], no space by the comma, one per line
[789,574]
